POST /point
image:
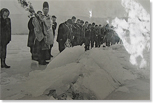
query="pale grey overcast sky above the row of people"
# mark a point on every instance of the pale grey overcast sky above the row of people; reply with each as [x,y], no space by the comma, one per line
[60,8]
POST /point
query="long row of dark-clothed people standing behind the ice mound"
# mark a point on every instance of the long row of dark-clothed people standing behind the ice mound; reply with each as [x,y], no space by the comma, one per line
[77,32]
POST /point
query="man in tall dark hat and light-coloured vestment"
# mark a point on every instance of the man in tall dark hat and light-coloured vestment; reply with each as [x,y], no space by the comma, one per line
[47,29]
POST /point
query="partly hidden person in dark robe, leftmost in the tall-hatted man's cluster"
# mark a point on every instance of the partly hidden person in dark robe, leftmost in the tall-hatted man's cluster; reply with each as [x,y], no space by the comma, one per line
[31,38]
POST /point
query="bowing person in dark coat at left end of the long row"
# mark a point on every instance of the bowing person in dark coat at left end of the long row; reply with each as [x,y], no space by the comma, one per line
[64,33]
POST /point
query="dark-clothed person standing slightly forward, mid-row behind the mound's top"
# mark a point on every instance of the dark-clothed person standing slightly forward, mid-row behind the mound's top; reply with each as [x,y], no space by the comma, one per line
[87,37]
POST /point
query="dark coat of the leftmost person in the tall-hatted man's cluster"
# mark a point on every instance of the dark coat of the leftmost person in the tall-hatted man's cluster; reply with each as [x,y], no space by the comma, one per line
[31,36]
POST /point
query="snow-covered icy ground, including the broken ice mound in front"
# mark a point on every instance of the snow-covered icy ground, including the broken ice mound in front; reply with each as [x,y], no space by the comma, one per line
[100,73]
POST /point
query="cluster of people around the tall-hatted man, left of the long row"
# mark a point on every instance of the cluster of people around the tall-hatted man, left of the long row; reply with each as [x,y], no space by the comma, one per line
[41,35]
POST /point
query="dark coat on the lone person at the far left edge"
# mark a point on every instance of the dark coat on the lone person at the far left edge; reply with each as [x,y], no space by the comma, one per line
[5,34]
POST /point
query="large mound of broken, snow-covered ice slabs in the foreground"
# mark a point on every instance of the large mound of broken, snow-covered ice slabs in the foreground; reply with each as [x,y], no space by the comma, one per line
[75,74]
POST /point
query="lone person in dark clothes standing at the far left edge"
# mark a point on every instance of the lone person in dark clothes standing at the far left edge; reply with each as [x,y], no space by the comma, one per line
[5,35]
